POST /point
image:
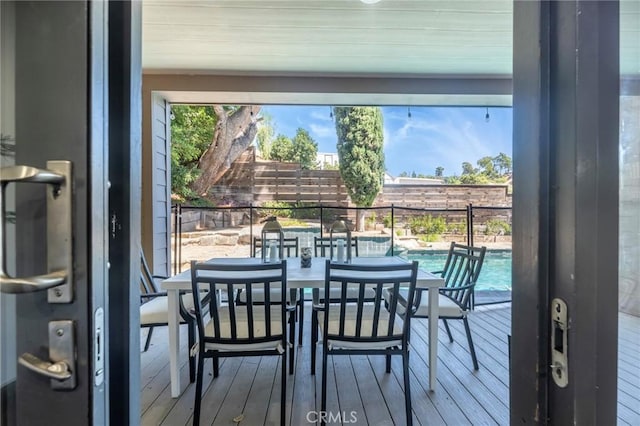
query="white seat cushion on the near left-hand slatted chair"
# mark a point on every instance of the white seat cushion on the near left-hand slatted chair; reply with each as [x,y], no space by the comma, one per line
[242,329]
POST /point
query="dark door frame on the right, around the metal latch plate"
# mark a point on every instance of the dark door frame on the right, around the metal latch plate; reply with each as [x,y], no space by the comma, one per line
[565,231]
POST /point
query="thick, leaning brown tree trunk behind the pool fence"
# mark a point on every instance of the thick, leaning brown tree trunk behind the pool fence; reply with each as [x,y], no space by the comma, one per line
[233,134]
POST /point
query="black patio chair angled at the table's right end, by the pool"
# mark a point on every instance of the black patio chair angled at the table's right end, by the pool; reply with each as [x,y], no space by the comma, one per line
[460,273]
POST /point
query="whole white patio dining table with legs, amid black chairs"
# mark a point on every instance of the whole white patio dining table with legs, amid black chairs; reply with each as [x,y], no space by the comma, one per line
[297,277]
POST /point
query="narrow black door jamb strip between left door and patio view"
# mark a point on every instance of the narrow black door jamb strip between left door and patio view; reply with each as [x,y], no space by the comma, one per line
[125,177]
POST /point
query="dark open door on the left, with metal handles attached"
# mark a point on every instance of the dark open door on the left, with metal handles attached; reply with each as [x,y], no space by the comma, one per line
[61,89]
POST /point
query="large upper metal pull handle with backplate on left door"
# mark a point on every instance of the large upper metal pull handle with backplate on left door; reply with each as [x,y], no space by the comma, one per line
[59,241]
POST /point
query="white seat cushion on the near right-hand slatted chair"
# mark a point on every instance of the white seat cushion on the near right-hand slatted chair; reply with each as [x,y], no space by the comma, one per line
[365,330]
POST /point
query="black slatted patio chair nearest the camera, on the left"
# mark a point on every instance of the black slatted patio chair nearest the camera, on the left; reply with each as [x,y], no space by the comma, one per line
[227,329]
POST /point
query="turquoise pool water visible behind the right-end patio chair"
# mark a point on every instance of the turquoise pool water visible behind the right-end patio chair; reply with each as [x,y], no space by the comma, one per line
[495,273]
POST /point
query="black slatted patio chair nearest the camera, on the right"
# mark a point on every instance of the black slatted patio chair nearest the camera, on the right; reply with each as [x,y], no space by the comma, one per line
[357,327]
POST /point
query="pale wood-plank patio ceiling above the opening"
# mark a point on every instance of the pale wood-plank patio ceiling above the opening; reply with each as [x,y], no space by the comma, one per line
[337,37]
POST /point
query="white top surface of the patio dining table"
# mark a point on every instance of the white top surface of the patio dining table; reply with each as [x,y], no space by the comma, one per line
[298,277]
